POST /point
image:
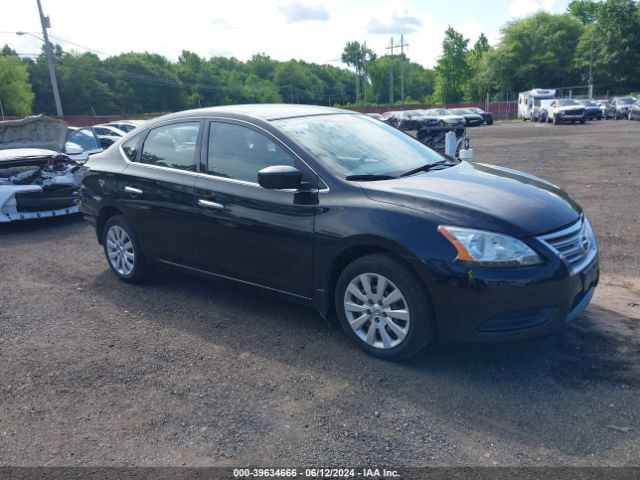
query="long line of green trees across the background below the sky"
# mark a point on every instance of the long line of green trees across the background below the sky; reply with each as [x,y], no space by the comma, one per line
[542,50]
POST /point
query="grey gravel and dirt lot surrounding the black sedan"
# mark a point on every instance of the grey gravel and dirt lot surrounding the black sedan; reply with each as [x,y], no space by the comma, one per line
[181,371]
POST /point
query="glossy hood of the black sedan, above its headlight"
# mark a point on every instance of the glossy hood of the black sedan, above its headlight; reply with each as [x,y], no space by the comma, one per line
[495,198]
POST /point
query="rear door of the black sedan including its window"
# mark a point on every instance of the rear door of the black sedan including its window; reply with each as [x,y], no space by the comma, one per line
[157,190]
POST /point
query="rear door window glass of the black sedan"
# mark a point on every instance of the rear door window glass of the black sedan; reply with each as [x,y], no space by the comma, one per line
[172,146]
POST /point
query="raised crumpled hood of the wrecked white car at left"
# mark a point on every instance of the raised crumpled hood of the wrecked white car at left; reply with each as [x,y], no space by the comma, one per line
[33,132]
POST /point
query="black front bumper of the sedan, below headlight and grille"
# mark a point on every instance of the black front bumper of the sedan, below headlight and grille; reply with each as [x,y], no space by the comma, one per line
[488,305]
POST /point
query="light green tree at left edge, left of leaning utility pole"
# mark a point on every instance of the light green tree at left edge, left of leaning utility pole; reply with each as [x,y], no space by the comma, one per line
[15,91]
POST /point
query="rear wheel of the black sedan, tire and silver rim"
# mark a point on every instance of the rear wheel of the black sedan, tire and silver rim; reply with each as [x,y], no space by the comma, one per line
[123,252]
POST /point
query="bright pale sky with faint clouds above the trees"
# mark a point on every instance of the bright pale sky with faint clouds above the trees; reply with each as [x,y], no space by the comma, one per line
[311,30]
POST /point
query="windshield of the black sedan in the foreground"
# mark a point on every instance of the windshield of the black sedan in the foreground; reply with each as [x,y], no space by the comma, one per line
[351,145]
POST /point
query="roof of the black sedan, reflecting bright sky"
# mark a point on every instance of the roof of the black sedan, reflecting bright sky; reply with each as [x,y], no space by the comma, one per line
[265,111]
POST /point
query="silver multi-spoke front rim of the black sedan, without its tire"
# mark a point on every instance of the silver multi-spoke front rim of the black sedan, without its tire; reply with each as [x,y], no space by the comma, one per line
[377,311]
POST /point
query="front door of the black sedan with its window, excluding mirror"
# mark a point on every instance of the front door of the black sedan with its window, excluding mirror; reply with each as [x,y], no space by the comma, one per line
[247,232]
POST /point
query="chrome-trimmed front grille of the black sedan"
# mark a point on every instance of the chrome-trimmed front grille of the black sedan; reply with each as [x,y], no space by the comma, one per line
[576,245]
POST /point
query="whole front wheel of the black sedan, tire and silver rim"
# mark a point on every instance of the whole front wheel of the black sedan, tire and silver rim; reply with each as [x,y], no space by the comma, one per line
[403,327]
